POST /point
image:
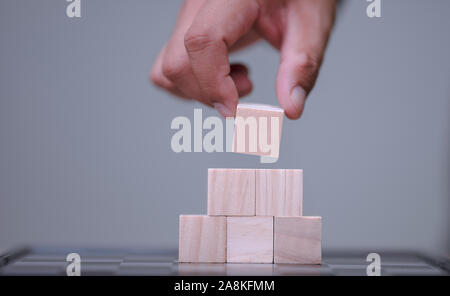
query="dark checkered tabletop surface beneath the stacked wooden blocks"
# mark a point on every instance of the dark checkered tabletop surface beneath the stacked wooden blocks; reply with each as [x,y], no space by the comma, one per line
[148,263]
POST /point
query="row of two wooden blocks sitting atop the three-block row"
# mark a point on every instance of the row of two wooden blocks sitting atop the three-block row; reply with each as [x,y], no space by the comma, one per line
[250,192]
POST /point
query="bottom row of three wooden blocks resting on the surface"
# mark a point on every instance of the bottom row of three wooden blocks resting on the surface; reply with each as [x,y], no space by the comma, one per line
[256,239]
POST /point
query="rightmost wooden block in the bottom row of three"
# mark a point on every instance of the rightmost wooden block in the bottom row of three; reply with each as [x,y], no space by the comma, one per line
[298,240]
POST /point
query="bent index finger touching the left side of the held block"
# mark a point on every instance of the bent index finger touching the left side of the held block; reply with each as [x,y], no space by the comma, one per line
[218,25]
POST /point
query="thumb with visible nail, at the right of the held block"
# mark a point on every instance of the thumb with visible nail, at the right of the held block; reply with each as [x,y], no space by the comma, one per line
[305,37]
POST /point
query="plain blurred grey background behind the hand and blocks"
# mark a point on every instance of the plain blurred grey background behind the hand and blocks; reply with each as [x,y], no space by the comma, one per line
[85,156]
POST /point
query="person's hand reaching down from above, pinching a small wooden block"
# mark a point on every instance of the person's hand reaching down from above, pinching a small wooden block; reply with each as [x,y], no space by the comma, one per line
[194,63]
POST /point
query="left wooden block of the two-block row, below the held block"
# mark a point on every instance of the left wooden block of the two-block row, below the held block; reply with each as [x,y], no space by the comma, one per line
[231,192]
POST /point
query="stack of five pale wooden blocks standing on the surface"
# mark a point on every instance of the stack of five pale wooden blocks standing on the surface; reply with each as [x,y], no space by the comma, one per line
[254,216]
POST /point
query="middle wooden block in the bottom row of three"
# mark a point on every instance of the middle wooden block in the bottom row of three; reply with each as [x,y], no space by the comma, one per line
[250,239]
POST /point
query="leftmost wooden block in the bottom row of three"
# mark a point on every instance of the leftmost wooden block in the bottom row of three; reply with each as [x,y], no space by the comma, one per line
[202,239]
